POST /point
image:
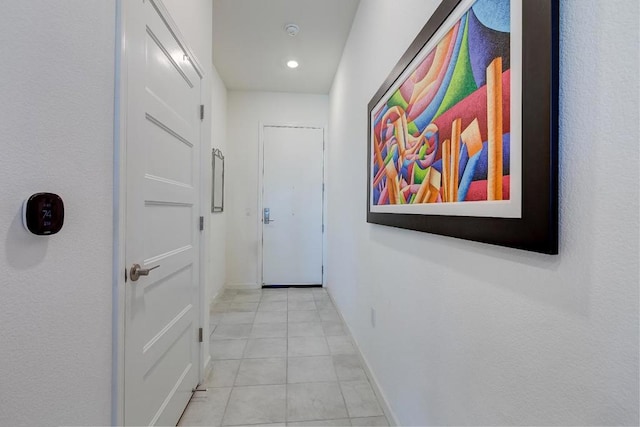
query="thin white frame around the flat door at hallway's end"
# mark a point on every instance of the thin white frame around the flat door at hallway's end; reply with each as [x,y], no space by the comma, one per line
[260,189]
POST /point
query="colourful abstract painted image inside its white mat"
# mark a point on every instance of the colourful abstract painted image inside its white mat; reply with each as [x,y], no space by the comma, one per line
[443,135]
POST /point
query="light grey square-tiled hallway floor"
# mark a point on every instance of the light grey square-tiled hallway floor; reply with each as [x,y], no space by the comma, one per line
[282,357]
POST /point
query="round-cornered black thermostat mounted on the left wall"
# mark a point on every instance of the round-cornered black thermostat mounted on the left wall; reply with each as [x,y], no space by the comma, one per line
[43,214]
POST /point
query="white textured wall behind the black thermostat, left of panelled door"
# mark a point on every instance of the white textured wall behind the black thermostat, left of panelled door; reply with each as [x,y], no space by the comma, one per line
[56,122]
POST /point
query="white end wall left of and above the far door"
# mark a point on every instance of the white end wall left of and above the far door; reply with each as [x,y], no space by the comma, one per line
[246,110]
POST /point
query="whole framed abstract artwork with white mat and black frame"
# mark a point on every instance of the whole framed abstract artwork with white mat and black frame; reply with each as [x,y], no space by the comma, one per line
[462,136]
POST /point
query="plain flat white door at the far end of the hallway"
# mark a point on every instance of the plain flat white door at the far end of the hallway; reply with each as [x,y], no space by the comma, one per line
[292,227]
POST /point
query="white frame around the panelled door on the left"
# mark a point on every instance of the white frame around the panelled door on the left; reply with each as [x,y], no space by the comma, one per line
[119,206]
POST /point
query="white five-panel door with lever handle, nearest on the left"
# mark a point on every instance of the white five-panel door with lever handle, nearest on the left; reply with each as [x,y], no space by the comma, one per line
[162,219]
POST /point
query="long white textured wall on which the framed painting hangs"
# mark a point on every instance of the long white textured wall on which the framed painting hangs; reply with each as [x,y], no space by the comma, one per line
[469,333]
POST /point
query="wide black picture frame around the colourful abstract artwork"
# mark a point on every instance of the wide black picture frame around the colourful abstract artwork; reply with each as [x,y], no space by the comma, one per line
[537,228]
